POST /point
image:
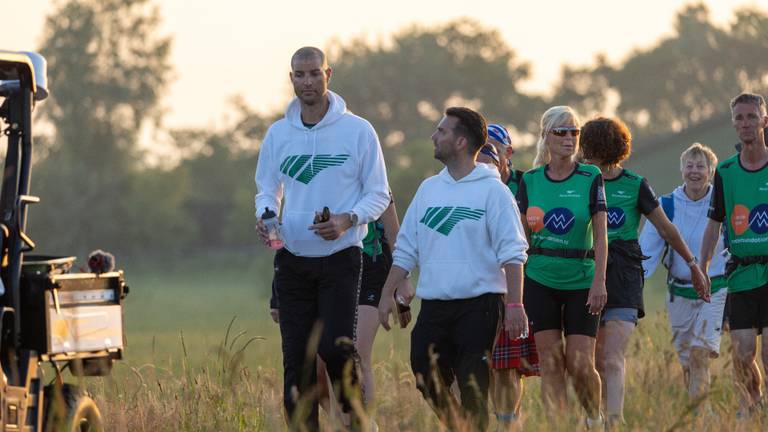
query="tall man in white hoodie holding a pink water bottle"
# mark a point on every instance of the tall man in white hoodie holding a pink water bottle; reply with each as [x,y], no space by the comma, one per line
[319,155]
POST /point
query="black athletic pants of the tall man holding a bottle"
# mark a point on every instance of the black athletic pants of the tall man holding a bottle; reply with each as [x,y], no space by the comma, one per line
[320,292]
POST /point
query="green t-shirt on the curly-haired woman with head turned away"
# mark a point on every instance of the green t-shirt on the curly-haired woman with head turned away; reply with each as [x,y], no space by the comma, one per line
[627,196]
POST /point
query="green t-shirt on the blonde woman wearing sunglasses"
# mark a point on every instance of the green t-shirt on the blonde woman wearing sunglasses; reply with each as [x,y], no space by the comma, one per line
[559,215]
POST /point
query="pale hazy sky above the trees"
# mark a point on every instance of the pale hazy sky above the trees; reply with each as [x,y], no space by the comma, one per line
[251,41]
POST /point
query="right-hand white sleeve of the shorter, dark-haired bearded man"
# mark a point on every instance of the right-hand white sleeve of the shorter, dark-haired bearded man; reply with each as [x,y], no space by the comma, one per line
[505,228]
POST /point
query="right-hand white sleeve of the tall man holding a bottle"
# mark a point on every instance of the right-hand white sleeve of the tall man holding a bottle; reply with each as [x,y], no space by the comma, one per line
[373,173]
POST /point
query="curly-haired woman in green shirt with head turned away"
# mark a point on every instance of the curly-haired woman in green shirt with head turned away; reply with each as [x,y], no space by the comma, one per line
[607,143]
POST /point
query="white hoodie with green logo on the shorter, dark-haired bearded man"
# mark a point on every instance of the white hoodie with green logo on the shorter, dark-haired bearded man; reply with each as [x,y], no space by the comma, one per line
[460,234]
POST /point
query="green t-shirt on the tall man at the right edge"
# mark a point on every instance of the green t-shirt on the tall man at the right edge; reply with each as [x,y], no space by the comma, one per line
[740,199]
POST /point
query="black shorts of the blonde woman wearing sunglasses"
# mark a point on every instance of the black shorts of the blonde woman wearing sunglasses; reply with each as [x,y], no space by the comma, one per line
[554,309]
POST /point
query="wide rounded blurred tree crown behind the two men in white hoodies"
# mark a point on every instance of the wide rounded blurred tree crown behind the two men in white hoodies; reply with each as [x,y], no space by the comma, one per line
[403,86]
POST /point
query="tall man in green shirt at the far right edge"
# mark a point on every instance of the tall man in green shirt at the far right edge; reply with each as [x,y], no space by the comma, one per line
[740,199]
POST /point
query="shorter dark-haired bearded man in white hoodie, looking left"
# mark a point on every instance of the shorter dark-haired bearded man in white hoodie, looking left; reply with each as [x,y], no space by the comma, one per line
[463,230]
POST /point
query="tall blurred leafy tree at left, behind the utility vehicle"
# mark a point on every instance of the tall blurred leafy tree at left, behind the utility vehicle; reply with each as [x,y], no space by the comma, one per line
[107,68]
